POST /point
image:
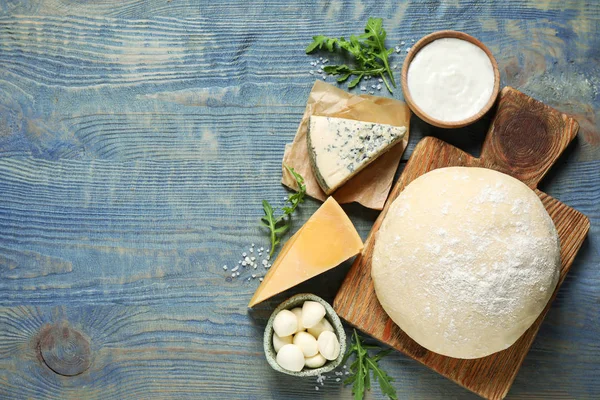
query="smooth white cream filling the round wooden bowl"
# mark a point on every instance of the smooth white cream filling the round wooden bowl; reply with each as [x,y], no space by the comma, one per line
[451,80]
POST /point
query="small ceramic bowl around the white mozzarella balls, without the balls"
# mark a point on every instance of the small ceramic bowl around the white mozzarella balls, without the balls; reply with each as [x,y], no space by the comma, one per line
[331,316]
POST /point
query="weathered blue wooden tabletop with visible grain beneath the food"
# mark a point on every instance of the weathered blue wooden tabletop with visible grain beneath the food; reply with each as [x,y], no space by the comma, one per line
[137,140]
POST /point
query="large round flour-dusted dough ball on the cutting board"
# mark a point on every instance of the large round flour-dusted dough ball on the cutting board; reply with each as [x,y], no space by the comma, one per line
[465,261]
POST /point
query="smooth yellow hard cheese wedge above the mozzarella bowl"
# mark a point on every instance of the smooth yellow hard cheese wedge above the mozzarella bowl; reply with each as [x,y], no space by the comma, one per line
[327,239]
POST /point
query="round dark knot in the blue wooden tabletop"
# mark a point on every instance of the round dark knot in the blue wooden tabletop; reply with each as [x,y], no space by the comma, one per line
[64,350]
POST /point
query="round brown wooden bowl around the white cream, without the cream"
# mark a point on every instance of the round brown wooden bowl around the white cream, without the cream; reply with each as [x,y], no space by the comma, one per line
[422,43]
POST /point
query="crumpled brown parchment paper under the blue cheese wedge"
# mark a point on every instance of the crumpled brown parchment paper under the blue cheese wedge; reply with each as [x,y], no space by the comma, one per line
[372,185]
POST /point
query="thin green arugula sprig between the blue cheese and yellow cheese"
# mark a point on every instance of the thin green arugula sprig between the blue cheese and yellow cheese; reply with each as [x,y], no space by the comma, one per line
[278,226]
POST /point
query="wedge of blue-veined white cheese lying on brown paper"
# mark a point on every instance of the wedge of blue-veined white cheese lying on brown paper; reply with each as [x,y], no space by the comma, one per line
[340,148]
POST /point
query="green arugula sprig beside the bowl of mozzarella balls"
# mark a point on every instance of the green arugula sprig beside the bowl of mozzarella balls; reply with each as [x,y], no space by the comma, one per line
[360,378]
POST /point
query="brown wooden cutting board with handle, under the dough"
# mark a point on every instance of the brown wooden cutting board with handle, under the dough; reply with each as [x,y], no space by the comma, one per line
[524,140]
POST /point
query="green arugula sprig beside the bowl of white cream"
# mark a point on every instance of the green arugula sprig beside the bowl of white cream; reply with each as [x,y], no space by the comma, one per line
[368,50]
